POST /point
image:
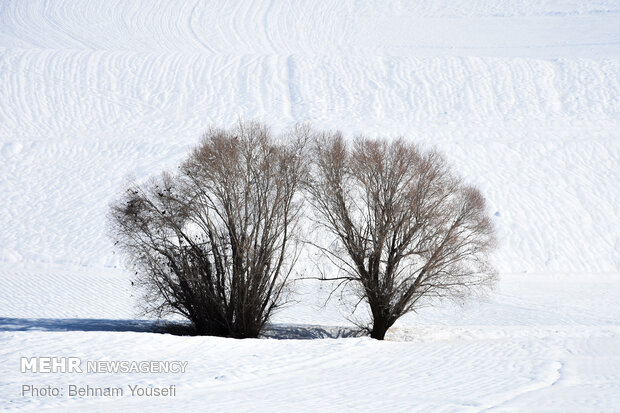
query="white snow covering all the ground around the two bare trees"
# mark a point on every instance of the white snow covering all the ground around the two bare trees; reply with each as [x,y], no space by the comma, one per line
[522,96]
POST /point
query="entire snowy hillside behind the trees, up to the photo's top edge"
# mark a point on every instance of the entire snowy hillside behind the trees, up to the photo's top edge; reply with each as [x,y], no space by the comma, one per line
[524,97]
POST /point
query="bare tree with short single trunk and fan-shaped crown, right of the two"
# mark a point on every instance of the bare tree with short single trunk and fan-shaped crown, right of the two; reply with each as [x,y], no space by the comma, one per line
[404,227]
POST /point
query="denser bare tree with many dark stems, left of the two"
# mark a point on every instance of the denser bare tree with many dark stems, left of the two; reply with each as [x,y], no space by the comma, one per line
[216,241]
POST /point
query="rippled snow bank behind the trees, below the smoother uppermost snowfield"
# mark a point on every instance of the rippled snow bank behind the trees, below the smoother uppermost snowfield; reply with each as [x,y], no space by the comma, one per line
[74,123]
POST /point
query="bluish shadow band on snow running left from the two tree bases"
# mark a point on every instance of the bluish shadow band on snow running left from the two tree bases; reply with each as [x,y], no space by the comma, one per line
[274,331]
